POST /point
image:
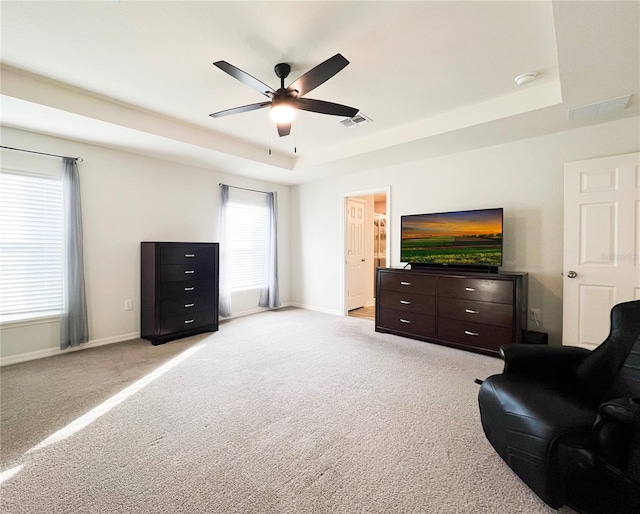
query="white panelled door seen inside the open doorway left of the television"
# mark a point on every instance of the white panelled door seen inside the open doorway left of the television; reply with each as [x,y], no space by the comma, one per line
[355,258]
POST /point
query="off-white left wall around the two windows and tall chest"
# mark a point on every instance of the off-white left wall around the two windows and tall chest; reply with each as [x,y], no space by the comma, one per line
[126,199]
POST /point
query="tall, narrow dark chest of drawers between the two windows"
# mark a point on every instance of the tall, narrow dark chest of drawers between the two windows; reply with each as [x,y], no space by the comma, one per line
[179,290]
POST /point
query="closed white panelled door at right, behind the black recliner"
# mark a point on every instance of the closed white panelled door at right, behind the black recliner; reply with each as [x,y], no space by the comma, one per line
[601,244]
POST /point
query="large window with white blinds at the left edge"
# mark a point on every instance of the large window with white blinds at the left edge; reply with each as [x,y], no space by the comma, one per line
[31,243]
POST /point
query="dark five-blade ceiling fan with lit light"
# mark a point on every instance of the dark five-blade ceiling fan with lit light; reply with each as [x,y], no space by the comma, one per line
[284,101]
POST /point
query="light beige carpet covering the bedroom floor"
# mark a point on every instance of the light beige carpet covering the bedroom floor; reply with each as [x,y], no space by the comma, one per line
[280,412]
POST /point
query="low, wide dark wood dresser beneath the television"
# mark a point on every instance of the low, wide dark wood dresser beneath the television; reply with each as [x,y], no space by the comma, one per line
[472,311]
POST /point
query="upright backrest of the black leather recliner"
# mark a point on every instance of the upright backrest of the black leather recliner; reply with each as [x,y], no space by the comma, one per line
[596,372]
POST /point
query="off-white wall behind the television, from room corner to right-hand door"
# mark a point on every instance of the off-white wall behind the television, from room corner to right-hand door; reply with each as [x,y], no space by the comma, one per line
[523,177]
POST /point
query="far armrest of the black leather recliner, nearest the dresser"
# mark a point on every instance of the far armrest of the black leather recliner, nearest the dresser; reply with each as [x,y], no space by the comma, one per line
[545,361]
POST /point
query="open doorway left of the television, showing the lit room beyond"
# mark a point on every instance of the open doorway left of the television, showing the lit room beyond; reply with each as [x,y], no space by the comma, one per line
[366,247]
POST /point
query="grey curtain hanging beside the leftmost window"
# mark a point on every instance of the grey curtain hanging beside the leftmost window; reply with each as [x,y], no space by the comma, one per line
[73,320]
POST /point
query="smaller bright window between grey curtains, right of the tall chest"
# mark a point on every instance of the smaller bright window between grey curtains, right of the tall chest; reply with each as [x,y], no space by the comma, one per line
[248,233]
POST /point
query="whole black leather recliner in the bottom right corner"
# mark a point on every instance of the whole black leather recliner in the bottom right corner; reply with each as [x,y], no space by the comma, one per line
[565,419]
